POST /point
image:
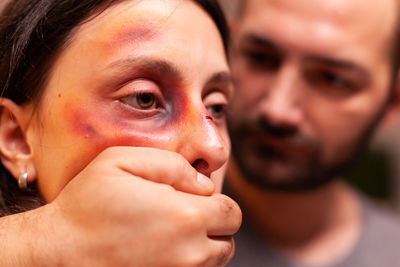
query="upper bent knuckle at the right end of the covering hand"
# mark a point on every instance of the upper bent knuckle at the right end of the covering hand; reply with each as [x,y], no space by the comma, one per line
[223,216]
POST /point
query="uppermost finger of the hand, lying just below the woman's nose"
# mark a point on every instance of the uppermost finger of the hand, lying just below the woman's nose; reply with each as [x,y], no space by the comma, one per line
[160,166]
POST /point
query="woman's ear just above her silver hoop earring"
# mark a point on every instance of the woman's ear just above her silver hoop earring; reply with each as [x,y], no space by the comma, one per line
[15,151]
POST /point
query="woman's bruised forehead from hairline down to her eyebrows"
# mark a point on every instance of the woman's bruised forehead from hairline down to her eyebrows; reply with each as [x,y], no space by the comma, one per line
[152,27]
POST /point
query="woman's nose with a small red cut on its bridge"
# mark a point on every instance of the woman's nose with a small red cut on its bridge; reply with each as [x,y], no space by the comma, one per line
[205,146]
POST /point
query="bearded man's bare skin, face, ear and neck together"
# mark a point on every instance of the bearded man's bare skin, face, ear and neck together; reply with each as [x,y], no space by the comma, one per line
[318,75]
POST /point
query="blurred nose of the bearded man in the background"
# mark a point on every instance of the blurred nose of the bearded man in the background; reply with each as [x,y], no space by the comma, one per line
[281,104]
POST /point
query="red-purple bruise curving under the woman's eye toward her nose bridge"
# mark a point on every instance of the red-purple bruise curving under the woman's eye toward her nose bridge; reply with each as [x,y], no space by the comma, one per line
[115,127]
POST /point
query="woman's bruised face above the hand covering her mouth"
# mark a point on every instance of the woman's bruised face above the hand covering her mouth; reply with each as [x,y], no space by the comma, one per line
[149,73]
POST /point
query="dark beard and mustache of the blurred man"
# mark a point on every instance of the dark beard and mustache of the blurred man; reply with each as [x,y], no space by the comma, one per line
[271,167]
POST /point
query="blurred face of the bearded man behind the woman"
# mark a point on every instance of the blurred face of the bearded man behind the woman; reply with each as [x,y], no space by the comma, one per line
[313,80]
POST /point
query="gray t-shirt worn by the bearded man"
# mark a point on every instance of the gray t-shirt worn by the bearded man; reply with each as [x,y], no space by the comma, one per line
[378,246]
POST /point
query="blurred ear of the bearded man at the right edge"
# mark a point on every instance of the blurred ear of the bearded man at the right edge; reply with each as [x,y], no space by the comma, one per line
[393,107]
